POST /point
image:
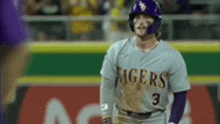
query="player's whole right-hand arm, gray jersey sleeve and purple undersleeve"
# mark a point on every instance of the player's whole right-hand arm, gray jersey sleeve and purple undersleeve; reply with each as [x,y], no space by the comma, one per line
[179,85]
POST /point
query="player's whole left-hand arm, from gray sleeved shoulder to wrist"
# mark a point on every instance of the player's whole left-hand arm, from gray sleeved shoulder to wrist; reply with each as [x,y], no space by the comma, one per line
[109,74]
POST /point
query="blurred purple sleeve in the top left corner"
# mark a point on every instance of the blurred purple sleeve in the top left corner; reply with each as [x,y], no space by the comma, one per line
[12,25]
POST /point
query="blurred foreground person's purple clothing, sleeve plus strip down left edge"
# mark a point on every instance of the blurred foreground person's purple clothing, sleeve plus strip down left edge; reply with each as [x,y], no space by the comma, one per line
[12,34]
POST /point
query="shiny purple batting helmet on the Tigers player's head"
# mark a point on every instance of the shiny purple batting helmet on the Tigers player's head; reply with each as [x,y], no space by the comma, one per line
[148,7]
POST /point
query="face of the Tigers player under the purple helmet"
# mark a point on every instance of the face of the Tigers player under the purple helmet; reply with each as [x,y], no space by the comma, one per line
[141,23]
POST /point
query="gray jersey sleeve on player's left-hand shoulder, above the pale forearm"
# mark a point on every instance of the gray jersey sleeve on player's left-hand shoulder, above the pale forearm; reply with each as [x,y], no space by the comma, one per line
[109,67]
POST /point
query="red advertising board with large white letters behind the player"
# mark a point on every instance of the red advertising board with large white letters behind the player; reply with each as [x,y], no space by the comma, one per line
[79,105]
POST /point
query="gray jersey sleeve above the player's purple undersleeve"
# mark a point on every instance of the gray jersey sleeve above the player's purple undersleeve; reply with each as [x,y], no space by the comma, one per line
[178,78]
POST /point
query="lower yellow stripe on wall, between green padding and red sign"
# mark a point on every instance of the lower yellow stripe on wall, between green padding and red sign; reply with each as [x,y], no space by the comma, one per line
[196,80]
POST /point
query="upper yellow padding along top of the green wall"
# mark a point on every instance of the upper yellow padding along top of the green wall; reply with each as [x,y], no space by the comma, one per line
[102,48]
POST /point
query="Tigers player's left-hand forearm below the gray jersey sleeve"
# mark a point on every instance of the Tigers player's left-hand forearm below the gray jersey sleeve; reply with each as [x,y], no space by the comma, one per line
[107,89]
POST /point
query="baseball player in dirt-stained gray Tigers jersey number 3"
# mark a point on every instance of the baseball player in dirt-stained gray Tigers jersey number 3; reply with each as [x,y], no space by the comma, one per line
[139,72]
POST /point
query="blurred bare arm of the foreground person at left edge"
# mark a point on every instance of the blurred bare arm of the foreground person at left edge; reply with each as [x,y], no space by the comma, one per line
[13,66]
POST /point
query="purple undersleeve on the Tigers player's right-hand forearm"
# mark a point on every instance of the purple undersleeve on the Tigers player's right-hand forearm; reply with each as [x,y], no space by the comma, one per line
[178,106]
